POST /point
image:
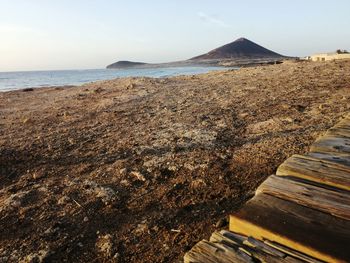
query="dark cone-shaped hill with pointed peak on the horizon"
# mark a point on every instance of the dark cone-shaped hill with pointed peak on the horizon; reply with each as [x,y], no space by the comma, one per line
[241,48]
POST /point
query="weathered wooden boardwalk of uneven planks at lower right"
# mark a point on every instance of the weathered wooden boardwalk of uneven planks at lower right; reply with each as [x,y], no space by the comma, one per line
[301,214]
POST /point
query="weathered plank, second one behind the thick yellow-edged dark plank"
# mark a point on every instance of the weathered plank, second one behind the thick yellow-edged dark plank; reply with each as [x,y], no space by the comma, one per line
[316,170]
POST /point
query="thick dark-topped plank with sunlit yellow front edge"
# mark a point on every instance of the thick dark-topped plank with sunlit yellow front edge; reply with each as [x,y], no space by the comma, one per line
[309,231]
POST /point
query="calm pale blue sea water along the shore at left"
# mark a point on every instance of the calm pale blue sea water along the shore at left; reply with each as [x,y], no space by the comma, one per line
[25,79]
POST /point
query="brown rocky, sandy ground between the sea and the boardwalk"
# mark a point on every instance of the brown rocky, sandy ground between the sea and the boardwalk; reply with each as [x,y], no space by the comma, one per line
[140,169]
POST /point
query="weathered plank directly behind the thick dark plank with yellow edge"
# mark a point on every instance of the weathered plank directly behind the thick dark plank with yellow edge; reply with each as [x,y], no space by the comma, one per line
[329,201]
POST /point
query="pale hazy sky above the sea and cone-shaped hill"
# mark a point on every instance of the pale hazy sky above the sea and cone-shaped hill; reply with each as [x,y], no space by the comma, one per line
[73,34]
